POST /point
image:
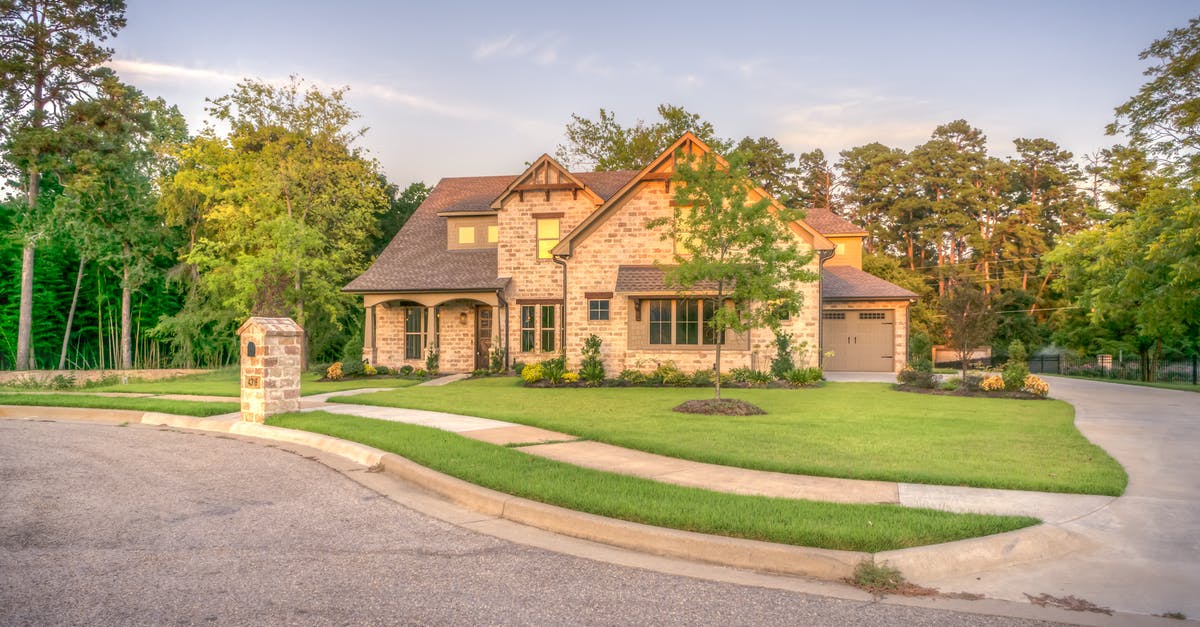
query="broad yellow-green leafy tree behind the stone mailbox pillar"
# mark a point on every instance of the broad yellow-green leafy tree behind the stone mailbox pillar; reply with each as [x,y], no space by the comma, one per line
[283,212]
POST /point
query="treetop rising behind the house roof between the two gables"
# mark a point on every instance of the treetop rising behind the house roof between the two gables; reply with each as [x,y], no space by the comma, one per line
[604,145]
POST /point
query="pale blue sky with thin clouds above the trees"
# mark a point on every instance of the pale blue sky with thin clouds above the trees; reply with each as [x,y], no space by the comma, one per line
[455,89]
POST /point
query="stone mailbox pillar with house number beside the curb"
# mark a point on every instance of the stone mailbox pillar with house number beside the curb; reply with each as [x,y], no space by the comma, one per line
[271,368]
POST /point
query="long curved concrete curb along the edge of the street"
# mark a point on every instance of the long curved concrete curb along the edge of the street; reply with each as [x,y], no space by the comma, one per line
[919,564]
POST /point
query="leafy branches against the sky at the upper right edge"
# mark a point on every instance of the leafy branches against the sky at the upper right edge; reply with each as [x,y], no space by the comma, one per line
[1165,116]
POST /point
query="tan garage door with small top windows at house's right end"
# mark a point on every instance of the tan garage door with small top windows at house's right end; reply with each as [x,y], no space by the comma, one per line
[860,341]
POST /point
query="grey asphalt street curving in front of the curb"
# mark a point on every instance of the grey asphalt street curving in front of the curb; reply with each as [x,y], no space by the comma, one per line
[135,526]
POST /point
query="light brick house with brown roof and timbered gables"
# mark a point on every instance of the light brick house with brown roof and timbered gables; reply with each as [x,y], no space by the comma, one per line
[535,264]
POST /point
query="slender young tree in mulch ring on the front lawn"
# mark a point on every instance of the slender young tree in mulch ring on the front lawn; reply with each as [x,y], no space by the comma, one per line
[736,241]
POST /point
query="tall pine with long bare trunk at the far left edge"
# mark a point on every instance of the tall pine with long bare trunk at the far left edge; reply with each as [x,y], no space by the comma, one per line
[51,56]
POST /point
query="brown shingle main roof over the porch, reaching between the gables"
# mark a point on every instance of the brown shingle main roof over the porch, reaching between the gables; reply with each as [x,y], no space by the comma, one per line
[417,259]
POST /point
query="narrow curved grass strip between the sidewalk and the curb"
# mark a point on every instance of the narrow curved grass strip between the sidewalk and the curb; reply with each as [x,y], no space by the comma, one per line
[862,528]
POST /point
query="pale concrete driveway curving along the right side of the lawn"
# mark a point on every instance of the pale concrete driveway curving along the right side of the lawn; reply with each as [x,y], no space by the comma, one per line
[1147,553]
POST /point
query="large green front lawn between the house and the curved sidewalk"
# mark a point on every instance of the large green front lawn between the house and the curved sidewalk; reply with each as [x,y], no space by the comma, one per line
[854,431]
